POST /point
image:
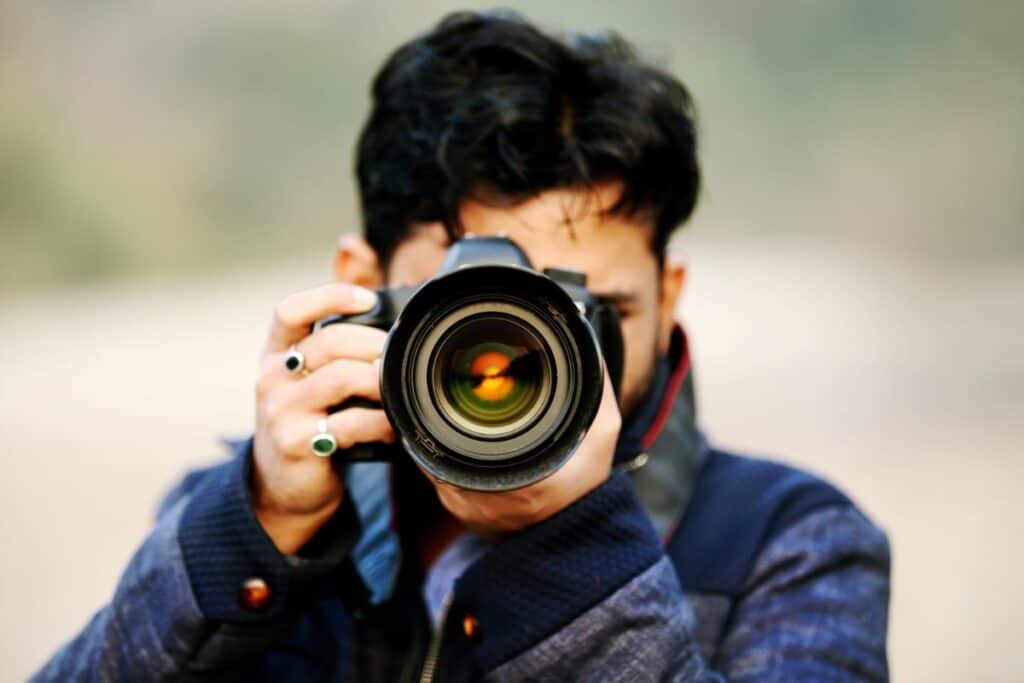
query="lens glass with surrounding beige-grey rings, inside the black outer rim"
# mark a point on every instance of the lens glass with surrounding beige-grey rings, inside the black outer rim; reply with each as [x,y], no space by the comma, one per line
[492,380]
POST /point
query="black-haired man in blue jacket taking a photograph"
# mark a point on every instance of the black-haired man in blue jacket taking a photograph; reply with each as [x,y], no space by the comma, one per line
[651,556]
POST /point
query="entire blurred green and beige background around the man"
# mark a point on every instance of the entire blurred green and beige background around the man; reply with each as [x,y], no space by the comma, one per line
[169,172]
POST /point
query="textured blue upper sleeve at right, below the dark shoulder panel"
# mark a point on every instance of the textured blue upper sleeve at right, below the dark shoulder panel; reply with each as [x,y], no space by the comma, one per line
[816,607]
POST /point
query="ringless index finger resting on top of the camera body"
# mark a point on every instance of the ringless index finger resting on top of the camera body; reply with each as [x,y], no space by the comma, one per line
[295,315]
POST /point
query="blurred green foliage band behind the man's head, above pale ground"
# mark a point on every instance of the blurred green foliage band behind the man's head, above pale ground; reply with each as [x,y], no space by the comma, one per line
[141,140]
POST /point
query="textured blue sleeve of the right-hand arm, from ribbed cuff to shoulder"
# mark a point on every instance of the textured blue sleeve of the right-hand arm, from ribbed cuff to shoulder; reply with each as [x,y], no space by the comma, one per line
[815,611]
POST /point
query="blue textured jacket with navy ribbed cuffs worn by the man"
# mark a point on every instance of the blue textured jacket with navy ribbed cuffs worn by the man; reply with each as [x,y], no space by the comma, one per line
[689,565]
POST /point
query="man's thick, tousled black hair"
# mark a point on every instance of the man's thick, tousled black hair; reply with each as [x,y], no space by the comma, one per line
[487,107]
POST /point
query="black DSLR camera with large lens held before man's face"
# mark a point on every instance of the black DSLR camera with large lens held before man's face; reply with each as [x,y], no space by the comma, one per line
[492,372]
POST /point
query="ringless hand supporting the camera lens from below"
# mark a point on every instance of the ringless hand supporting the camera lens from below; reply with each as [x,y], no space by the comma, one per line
[492,515]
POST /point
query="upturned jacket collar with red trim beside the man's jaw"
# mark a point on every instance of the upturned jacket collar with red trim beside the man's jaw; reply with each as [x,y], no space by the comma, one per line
[660,445]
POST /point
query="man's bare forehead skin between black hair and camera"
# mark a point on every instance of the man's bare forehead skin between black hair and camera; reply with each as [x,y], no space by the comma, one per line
[568,229]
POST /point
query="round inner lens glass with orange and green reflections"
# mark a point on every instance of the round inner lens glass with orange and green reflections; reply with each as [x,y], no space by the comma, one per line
[492,376]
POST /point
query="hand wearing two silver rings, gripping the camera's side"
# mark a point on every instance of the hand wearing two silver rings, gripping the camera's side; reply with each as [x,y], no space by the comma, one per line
[294,491]
